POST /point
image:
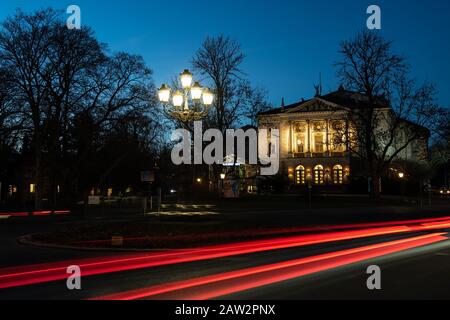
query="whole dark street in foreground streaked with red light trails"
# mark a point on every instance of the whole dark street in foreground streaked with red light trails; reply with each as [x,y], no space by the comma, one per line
[414,258]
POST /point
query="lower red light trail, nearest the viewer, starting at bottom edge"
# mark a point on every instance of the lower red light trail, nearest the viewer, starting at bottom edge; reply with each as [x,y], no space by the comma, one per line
[218,285]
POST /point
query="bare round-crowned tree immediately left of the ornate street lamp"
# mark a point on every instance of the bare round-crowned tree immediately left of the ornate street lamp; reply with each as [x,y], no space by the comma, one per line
[118,93]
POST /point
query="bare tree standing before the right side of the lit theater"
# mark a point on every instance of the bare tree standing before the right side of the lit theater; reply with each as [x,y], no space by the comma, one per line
[394,114]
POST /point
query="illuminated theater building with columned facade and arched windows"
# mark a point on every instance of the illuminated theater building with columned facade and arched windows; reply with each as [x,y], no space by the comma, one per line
[309,154]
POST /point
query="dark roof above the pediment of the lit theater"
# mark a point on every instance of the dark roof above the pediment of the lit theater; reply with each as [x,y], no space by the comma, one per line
[341,97]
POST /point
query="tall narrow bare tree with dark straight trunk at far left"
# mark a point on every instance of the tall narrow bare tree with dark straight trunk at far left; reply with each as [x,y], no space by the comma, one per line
[73,56]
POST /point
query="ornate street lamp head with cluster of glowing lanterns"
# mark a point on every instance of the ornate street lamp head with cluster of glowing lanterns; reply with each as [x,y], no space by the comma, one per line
[192,103]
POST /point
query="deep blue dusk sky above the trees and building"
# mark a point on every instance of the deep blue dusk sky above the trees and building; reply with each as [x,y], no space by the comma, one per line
[287,42]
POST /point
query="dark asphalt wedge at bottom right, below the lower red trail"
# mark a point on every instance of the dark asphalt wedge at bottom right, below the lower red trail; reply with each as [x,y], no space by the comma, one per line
[422,274]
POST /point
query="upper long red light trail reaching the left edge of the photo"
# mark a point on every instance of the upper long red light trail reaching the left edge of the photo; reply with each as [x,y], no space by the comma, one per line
[33,274]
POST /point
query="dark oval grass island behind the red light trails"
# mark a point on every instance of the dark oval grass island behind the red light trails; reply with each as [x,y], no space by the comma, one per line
[153,235]
